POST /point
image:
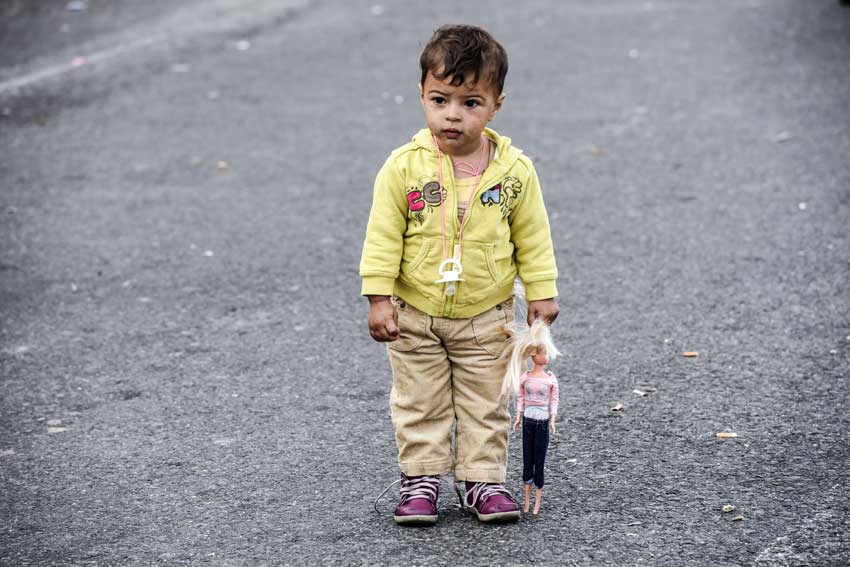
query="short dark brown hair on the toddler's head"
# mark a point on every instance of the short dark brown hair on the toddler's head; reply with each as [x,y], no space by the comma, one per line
[461,50]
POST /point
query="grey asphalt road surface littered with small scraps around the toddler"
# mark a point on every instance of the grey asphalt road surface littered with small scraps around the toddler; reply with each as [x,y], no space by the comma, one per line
[187,378]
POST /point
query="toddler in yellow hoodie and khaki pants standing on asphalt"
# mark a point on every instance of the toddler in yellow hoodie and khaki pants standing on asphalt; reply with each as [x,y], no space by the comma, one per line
[457,215]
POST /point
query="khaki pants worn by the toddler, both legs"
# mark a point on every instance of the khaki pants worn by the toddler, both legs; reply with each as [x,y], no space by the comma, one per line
[446,370]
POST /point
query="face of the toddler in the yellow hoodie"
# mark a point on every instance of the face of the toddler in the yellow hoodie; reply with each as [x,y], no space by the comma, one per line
[457,115]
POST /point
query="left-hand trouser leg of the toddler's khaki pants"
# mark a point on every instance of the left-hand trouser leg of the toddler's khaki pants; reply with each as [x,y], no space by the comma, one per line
[421,397]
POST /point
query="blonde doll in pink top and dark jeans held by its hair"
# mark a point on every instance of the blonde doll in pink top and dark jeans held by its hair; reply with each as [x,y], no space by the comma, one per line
[536,393]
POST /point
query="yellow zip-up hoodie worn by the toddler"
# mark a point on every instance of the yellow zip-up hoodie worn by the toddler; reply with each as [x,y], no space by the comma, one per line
[506,232]
